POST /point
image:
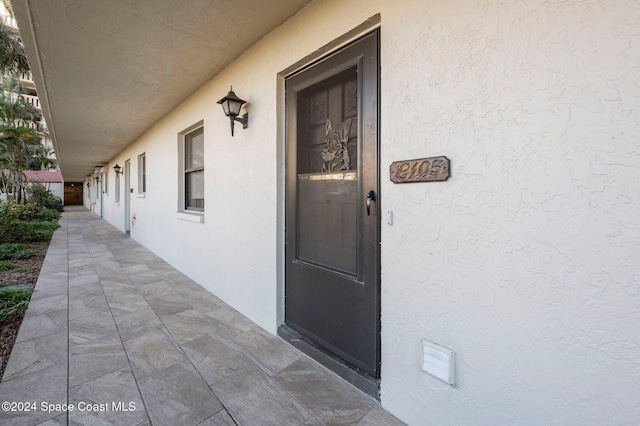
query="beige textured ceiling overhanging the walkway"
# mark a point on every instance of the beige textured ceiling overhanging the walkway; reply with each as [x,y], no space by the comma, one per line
[106,70]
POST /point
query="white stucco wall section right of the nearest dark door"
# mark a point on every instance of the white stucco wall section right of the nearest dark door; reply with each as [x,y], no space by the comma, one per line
[527,261]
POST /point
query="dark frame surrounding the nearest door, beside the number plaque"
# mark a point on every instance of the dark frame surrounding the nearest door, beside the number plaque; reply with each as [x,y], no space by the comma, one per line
[364,382]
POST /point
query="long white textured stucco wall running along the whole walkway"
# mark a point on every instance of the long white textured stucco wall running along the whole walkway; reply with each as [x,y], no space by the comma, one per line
[526,262]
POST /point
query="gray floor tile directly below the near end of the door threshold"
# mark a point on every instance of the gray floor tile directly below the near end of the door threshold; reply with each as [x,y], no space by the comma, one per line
[329,398]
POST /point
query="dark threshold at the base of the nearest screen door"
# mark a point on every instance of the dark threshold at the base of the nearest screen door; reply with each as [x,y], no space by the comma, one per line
[358,378]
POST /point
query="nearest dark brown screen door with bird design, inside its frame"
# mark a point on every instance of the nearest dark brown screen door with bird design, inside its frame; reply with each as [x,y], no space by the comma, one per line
[332,215]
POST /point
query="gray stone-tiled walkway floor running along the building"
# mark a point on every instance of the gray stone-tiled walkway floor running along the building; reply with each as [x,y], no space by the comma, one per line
[126,339]
